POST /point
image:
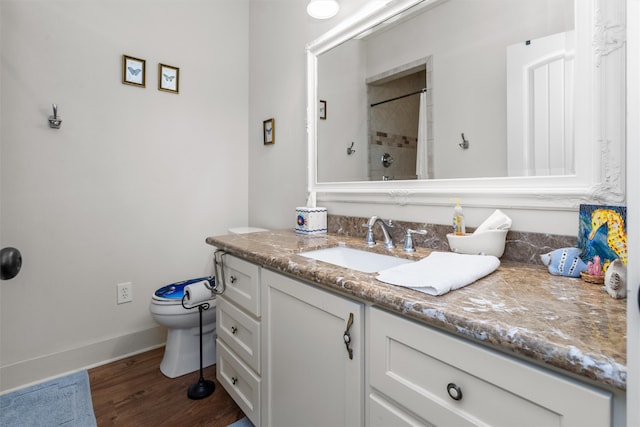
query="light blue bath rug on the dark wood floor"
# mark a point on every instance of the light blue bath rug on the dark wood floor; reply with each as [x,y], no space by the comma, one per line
[64,401]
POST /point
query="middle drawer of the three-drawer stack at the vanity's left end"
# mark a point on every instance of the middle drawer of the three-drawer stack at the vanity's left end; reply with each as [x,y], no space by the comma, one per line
[239,331]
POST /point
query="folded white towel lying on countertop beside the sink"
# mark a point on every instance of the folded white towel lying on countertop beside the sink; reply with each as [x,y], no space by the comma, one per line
[440,272]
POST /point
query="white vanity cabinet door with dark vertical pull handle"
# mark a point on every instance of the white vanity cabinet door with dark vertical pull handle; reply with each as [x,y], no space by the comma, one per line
[309,377]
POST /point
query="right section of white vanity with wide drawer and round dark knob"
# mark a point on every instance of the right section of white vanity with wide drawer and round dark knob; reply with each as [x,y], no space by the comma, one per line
[420,376]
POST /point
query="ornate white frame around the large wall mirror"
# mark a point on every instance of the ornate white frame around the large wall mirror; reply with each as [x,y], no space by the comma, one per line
[599,130]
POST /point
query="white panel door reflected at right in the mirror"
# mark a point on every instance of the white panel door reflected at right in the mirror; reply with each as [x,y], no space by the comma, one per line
[540,106]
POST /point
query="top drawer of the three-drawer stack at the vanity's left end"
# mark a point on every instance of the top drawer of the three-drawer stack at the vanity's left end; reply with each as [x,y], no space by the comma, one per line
[242,280]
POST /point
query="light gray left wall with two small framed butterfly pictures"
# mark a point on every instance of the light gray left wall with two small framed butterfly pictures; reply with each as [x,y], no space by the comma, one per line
[133,182]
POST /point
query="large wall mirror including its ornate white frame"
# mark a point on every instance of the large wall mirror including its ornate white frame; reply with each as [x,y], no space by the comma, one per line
[506,103]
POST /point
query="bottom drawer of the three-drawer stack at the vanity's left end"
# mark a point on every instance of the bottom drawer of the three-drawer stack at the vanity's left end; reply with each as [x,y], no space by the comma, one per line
[239,381]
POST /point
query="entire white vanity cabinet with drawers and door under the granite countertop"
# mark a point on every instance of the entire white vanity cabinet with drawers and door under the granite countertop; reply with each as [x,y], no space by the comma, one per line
[293,354]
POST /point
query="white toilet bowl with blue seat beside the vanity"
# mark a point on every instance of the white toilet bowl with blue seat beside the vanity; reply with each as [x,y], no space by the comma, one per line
[182,350]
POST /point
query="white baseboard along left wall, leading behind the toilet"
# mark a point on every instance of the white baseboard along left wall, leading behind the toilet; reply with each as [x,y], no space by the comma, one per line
[33,371]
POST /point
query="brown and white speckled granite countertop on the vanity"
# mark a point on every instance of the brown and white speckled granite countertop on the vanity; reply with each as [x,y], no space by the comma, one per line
[520,308]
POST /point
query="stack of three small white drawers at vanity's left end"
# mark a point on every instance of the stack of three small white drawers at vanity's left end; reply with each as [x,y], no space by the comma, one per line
[238,328]
